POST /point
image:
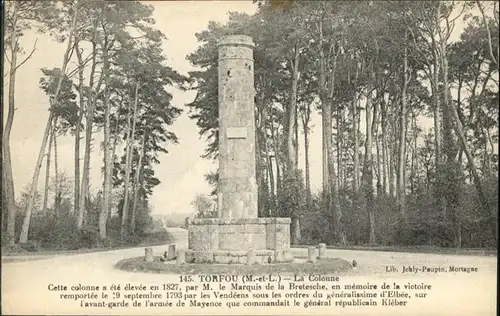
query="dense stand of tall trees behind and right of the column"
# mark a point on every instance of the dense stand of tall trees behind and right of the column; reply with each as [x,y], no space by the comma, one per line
[376,72]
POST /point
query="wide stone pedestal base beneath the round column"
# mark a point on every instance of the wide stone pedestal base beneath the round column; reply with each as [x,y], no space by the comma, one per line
[222,240]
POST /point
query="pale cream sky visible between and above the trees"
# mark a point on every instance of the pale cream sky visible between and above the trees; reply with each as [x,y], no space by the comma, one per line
[182,170]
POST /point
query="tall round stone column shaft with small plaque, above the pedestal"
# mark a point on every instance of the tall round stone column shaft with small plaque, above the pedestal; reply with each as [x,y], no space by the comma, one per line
[237,187]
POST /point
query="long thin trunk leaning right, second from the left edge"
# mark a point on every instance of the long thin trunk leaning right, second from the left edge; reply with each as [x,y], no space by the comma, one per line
[23,238]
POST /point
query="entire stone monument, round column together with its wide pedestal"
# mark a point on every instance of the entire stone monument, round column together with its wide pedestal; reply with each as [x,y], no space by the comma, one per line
[237,229]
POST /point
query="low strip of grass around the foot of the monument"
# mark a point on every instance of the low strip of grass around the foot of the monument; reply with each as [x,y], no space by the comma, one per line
[325,266]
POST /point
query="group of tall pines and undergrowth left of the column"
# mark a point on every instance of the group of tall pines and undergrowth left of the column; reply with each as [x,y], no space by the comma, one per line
[111,85]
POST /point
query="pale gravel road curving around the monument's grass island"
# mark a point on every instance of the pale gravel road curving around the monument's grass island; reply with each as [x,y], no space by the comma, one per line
[25,284]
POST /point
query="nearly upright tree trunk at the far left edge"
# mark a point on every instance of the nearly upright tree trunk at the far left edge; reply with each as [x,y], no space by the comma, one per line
[7,176]
